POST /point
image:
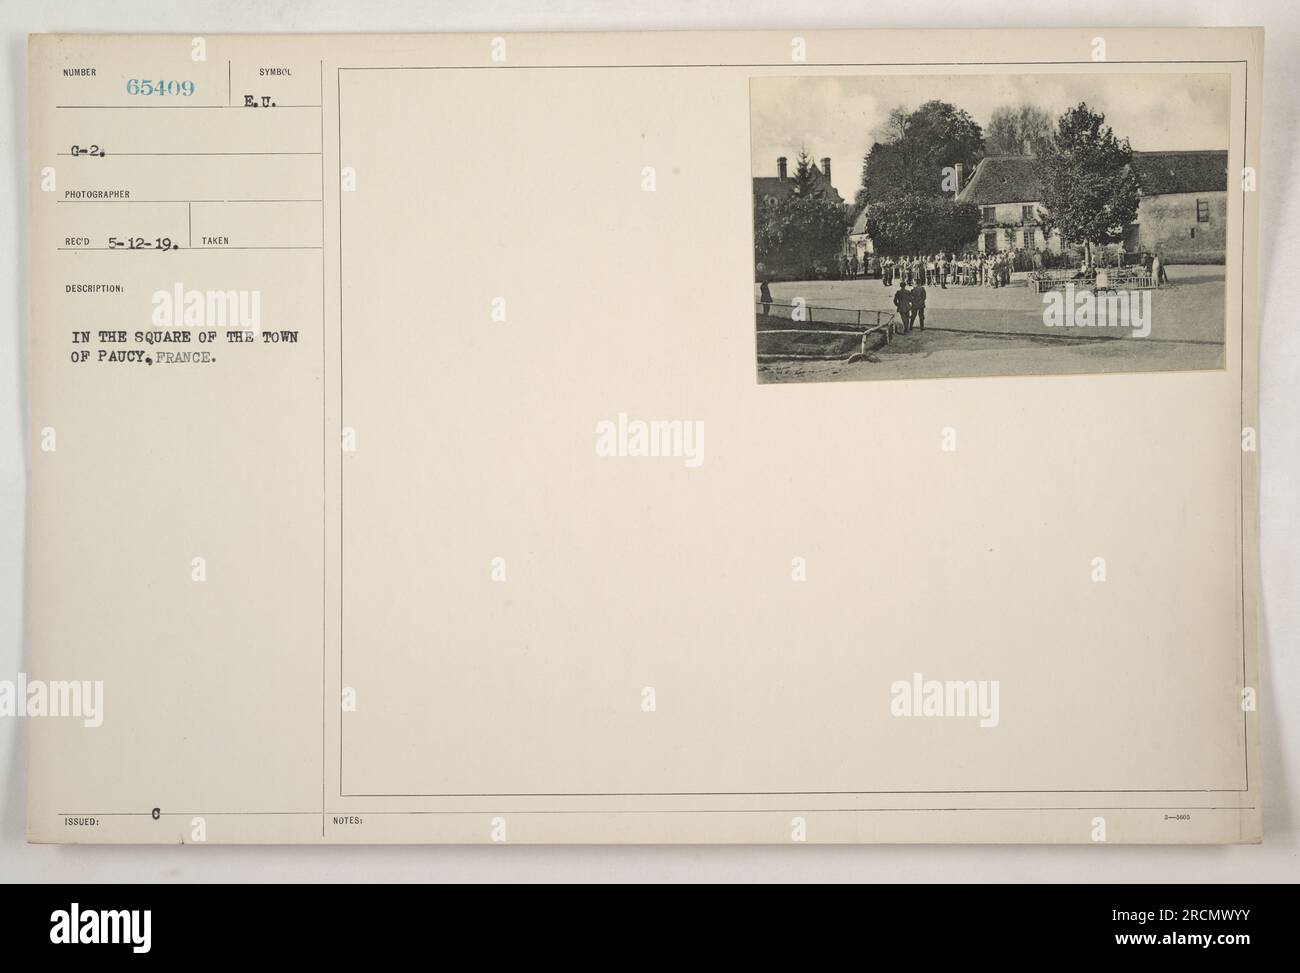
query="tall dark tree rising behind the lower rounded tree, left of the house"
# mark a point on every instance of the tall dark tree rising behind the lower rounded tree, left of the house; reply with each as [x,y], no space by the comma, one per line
[915,150]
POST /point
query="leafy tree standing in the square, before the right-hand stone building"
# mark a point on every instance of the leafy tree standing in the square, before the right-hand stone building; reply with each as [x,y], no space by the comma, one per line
[1090,192]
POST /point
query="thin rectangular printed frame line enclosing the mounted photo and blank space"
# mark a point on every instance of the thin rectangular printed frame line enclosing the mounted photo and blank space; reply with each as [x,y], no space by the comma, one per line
[1246,64]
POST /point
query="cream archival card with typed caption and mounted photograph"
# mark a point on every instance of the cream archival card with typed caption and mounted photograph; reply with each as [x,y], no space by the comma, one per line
[833,436]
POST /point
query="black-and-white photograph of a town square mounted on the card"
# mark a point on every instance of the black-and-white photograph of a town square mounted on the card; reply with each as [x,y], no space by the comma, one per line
[990,224]
